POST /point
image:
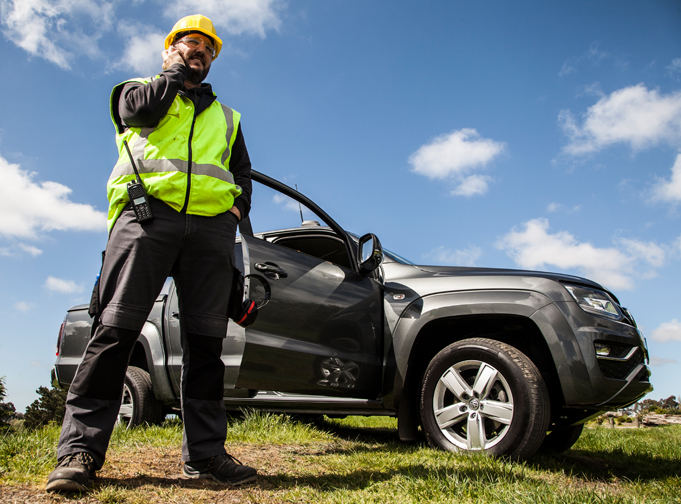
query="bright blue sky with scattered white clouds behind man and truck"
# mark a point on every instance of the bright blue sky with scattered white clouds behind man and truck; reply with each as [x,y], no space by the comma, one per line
[525,134]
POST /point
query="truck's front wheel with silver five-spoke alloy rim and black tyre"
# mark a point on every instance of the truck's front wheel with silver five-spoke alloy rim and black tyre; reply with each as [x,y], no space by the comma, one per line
[484,395]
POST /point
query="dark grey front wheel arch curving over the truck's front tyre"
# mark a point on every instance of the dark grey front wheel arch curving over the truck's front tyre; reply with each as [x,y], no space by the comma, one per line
[446,319]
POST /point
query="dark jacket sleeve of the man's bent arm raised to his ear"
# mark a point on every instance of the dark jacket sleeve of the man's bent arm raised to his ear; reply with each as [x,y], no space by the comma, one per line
[143,105]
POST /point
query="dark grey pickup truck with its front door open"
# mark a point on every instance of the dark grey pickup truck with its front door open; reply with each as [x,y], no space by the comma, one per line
[476,359]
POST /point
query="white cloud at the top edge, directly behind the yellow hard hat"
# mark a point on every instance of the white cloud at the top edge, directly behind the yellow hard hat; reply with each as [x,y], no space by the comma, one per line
[236,17]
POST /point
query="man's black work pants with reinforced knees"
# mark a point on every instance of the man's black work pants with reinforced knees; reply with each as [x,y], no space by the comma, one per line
[199,253]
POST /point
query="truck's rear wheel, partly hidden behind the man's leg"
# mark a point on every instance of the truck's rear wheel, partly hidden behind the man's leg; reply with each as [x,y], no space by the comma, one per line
[138,405]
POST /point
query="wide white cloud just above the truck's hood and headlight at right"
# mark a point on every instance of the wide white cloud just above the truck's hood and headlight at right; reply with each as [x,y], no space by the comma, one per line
[534,247]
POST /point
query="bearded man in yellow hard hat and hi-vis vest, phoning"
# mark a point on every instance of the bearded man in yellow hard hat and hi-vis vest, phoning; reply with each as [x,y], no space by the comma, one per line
[193,162]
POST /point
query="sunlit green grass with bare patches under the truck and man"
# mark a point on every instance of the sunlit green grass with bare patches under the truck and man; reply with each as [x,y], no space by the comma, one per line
[356,460]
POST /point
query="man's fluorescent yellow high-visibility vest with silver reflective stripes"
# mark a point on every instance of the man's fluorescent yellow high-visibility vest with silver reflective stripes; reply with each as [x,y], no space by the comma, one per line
[183,160]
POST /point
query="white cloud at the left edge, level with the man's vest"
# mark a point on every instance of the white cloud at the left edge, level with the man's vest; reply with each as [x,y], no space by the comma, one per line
[27,206]
